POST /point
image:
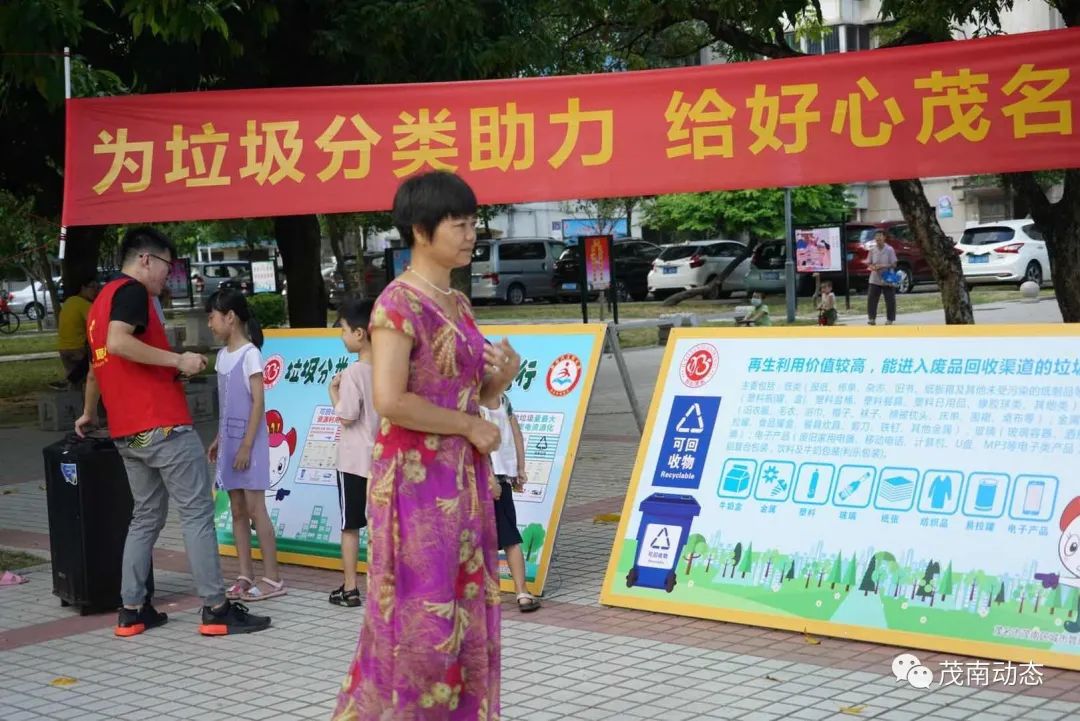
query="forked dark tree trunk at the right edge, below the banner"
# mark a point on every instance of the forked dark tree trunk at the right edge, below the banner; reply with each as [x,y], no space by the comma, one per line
[1060,224]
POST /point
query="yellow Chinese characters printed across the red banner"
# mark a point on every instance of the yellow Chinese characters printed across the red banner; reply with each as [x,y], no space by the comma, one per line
[719,125]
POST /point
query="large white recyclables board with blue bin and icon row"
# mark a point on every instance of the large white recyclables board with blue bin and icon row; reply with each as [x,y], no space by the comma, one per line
[912,487]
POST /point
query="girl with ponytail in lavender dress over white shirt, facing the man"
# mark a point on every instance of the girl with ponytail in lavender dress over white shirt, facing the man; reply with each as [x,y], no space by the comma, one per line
[241,450]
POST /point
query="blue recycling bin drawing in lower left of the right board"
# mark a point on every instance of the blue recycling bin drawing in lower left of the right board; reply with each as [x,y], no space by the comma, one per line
[665,528]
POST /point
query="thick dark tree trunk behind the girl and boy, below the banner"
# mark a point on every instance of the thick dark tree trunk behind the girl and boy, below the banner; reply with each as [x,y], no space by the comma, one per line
[299,241]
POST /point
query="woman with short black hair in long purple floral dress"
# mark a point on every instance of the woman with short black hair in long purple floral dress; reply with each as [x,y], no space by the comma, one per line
[429,647]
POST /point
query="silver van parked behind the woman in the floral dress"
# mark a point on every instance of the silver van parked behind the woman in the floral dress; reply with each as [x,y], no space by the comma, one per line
[514,269]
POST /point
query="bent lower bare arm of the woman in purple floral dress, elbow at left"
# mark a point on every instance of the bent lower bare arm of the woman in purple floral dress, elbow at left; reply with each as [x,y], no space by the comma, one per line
[394,402]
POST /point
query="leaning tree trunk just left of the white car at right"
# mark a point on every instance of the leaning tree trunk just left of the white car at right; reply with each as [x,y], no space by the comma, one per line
[938,249]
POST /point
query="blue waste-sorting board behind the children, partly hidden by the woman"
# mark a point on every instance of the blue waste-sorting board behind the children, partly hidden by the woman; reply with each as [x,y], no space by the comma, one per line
[550,397]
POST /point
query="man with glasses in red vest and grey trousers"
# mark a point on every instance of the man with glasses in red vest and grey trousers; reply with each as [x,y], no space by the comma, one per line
[139,377]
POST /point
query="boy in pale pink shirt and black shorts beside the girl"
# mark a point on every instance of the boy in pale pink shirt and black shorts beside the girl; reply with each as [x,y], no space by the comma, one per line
[355,404]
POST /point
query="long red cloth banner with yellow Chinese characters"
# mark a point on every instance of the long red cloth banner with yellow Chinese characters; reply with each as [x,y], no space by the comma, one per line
[955,108]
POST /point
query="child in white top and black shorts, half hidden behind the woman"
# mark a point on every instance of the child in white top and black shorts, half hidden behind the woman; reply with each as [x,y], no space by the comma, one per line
[508,465]
